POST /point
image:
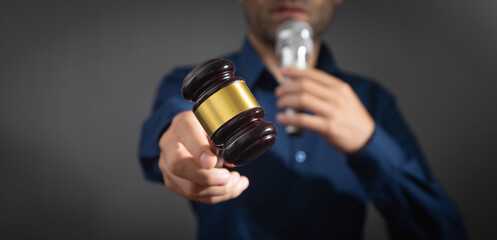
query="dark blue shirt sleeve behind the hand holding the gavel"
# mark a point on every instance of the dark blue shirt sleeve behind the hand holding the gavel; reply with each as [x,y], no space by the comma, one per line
[167,104]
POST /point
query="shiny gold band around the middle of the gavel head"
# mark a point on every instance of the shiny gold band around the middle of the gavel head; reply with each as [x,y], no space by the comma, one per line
[224,105]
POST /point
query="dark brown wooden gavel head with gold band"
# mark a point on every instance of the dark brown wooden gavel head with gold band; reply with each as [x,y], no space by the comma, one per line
[228,111]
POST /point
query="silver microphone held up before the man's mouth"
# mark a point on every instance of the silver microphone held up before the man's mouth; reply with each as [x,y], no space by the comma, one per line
[294,43]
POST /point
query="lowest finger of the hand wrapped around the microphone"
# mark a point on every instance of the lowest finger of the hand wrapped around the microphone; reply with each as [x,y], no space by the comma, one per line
[305,121]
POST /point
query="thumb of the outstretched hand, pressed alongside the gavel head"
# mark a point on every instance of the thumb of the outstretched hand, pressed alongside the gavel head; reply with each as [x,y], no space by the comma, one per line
[192,135]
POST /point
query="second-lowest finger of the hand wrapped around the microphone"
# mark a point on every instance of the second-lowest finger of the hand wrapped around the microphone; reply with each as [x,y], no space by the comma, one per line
[306,102]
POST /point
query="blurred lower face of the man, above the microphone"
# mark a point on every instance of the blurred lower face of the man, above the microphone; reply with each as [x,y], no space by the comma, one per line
[264,16]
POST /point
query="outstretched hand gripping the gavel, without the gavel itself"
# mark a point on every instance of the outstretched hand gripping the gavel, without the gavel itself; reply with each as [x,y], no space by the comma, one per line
[188,164]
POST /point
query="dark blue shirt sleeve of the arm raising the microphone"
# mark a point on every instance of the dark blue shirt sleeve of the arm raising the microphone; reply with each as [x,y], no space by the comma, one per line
[396,178]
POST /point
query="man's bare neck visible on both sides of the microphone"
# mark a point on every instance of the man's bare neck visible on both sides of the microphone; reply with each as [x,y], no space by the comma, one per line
[268,55]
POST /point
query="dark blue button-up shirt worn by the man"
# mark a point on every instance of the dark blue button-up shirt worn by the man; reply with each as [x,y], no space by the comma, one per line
[303,188]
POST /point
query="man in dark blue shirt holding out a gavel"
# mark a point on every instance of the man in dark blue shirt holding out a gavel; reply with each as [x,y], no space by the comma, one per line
[355,148]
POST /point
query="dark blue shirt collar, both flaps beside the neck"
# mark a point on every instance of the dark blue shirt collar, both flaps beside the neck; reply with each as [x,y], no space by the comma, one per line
[250,66]
